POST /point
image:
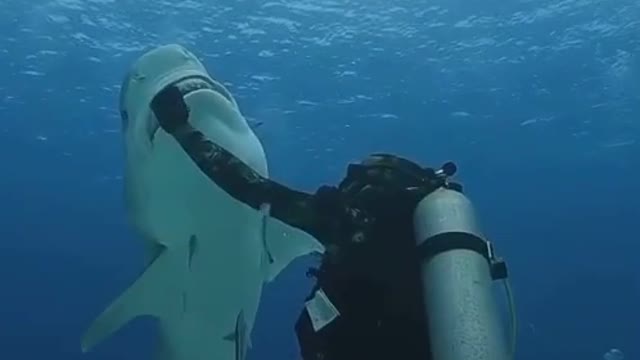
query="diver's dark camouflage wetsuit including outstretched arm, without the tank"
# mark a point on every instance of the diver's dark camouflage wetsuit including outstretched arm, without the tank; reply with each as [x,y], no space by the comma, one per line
[369,271]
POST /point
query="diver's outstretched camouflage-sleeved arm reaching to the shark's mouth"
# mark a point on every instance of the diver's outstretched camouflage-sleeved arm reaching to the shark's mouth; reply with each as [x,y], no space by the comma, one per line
[298,209]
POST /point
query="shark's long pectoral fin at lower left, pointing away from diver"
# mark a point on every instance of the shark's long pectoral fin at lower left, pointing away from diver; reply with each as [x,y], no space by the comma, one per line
[146,296]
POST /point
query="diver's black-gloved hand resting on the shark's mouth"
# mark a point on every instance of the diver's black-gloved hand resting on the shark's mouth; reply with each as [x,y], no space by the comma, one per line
[170,109]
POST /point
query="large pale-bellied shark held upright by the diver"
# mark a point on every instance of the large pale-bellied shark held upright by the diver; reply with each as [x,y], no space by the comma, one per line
[207,255]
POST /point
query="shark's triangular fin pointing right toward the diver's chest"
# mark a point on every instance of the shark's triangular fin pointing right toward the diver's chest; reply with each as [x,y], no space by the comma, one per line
[285,243]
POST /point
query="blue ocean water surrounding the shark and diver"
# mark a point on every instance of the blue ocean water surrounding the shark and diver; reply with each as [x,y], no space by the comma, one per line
[537,102]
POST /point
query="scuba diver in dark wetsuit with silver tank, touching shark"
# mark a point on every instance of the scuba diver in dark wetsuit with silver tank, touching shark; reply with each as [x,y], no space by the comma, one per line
[406,273]
